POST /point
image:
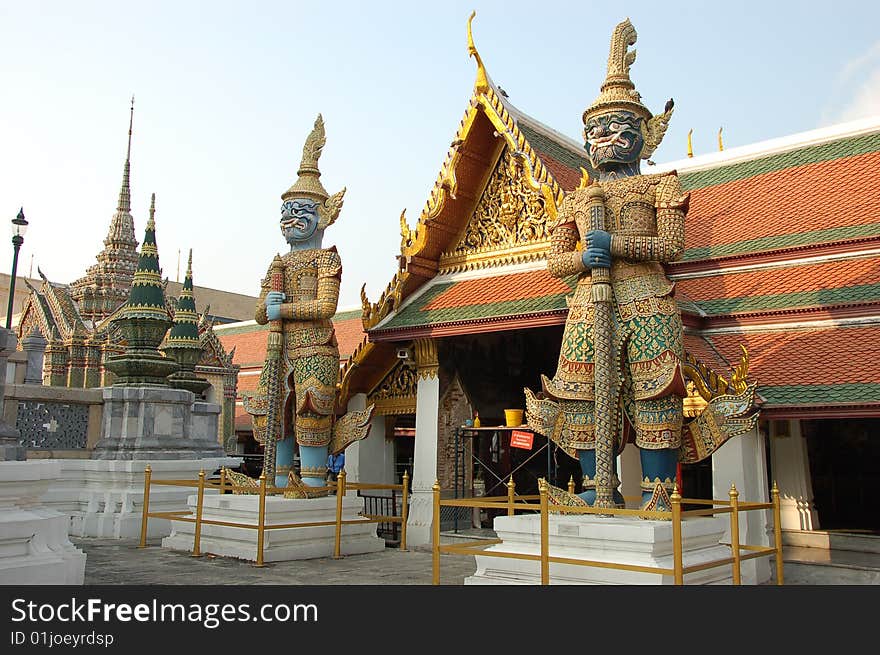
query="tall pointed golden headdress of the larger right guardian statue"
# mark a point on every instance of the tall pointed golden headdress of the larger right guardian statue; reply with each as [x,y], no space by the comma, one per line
[619,93]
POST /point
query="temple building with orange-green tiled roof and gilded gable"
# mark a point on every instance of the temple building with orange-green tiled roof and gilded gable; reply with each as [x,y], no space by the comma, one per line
[779,284]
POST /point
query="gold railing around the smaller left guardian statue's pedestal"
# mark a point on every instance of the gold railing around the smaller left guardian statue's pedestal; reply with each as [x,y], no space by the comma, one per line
[224,486]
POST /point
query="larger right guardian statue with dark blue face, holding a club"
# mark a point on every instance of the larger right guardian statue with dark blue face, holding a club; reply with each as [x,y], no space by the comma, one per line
[619,377]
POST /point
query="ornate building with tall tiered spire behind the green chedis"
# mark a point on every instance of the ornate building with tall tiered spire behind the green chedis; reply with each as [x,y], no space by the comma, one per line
[67,331]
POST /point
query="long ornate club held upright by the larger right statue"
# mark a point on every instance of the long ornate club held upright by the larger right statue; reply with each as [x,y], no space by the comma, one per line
[601,296]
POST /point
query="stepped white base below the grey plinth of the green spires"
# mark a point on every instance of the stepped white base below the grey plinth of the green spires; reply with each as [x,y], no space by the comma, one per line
[105,498]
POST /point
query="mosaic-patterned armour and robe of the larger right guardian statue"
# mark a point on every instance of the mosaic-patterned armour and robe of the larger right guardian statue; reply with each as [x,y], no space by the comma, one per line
[645,216]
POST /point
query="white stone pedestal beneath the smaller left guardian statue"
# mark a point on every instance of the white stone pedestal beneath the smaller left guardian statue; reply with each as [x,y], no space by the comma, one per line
[282,544]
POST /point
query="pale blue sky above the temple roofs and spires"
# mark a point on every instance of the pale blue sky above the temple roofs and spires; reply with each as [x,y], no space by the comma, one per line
[226,93]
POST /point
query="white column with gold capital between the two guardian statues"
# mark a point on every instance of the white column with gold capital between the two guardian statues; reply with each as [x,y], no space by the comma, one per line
[421,509]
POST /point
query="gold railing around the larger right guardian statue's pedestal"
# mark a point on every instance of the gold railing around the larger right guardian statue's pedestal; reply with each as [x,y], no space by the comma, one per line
[512,503]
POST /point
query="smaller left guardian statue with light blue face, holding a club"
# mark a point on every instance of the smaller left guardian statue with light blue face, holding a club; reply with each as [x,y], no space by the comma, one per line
[297,392]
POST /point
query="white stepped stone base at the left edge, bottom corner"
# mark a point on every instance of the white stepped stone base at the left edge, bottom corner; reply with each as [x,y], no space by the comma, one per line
[34,547]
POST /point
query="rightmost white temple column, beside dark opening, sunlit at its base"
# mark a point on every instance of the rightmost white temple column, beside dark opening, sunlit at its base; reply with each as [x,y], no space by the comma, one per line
[790,464]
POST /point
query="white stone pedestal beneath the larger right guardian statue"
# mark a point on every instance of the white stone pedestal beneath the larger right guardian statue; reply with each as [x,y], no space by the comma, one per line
[621,540]
